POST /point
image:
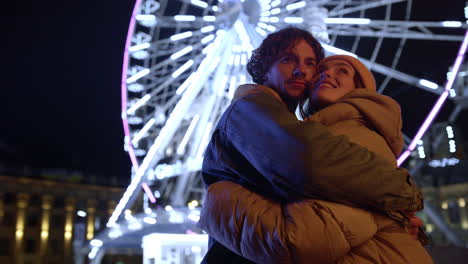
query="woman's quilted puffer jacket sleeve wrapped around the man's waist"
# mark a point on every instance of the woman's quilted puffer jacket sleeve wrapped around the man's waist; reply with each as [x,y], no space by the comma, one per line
[265,231]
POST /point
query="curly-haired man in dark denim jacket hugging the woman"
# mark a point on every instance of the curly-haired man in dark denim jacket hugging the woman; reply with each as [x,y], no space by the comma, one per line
[260,144]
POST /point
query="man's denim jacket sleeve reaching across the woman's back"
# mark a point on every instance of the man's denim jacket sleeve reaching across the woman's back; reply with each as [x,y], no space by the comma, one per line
[303,159]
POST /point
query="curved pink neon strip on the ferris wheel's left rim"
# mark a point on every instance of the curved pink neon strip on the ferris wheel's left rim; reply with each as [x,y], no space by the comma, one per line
[123,85]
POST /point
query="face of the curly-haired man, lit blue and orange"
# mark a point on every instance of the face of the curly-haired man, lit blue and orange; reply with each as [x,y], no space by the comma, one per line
[293,71]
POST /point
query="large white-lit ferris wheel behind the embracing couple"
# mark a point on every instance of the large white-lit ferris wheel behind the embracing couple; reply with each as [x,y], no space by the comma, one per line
[183,60]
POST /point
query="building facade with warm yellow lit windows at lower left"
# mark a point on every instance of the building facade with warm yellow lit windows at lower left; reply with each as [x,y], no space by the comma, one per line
[45,221]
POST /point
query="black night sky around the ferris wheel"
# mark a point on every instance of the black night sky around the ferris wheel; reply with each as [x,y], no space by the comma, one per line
[60,104]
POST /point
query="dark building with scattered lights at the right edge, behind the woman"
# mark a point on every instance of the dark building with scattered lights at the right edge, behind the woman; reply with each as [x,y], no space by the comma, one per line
[440,167]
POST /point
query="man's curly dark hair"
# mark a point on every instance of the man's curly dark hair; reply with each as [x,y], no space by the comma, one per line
[274,45]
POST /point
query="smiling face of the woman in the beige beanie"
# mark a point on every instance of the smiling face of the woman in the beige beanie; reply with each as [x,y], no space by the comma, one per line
[336,80]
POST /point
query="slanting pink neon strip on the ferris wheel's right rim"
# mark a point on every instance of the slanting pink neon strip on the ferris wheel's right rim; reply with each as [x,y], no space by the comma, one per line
[438,105]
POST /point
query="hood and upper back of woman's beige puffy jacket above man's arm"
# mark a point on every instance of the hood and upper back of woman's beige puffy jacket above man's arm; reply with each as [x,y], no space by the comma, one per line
[367,118]
